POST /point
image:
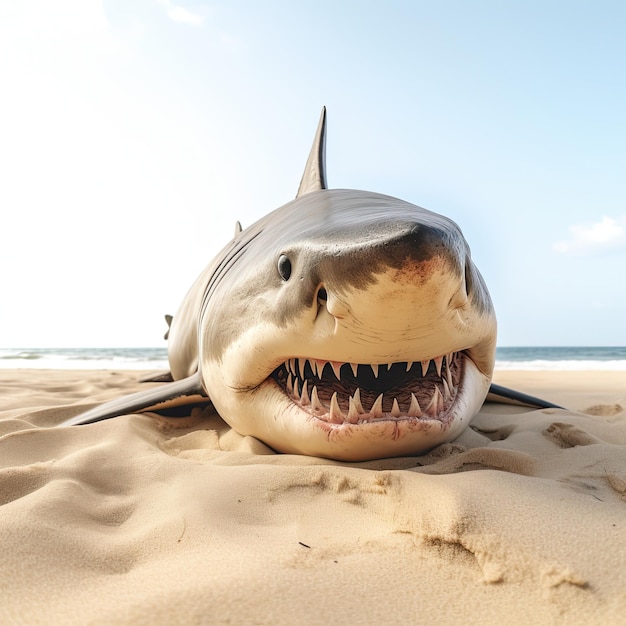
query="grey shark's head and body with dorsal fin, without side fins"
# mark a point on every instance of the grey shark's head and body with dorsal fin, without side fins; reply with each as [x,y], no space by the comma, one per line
[345,324]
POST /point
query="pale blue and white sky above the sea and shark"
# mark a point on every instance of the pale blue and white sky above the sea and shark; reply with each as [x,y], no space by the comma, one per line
[134,134]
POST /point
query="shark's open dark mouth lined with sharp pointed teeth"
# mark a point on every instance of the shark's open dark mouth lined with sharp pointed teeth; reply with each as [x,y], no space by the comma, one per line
[350,393]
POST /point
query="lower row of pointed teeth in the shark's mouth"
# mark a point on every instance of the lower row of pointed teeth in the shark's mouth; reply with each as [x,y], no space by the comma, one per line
[356,410]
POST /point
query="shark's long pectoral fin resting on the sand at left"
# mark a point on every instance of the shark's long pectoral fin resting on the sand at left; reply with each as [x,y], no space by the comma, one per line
[179,393]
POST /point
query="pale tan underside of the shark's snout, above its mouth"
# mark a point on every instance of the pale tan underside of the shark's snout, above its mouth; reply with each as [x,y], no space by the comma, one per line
[410,310]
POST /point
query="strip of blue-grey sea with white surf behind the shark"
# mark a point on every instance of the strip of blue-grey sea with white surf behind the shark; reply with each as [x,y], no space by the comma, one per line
[538,358]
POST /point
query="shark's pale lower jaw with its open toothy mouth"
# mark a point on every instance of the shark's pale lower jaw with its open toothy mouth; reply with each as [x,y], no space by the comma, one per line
[359,411]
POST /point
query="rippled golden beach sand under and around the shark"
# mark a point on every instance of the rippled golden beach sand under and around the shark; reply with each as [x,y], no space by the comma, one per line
[142,520]
